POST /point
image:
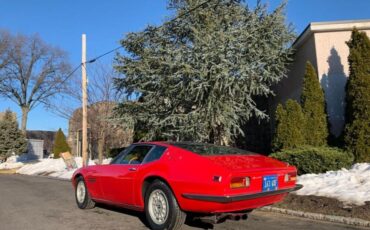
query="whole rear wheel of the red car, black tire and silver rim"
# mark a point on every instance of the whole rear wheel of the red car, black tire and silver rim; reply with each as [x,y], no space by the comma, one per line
[161,208]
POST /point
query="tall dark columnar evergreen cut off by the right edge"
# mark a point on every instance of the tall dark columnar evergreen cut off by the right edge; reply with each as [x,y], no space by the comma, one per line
[357,130]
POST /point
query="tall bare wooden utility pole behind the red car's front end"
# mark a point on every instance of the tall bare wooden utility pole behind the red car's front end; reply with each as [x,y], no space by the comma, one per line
[84,104]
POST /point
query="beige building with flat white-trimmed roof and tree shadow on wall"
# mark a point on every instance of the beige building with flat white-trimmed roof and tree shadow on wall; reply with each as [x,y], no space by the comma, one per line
[324,45]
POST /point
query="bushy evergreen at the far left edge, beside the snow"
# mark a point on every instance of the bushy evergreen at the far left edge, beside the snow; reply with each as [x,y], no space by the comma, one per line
[12,139]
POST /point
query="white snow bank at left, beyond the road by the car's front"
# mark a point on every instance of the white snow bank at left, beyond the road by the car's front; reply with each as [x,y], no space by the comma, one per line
[46,167]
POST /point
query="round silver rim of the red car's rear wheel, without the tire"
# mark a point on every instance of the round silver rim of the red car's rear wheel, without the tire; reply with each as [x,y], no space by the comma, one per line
[158,206]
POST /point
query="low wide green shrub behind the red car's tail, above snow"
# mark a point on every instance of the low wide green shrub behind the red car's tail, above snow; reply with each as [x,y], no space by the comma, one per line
[310,159]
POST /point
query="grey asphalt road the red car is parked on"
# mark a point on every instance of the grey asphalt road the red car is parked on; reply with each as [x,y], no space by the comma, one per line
[28,202]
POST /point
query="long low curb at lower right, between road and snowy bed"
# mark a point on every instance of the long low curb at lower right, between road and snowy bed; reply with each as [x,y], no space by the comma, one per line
[315,216]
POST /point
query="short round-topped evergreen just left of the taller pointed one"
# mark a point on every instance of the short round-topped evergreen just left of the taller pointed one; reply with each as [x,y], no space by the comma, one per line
[290,126]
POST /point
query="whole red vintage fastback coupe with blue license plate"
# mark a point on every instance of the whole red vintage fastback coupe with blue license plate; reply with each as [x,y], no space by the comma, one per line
[168,180]
